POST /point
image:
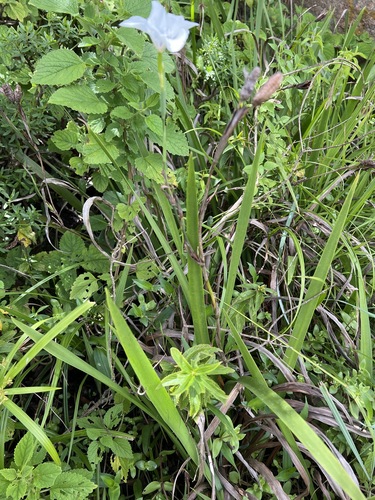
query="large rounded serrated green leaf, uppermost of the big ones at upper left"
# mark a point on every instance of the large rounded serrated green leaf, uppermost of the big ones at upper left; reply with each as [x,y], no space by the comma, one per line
[59,67]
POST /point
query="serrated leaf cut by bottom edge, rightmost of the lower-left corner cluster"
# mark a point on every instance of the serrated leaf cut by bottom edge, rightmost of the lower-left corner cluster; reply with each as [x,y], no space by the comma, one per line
[71,486]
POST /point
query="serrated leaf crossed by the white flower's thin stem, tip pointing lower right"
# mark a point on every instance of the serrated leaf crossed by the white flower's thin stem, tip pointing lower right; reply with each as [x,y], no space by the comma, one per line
[176,142]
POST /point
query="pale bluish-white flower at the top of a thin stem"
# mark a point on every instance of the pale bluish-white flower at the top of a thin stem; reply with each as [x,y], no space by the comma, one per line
[165,30]
